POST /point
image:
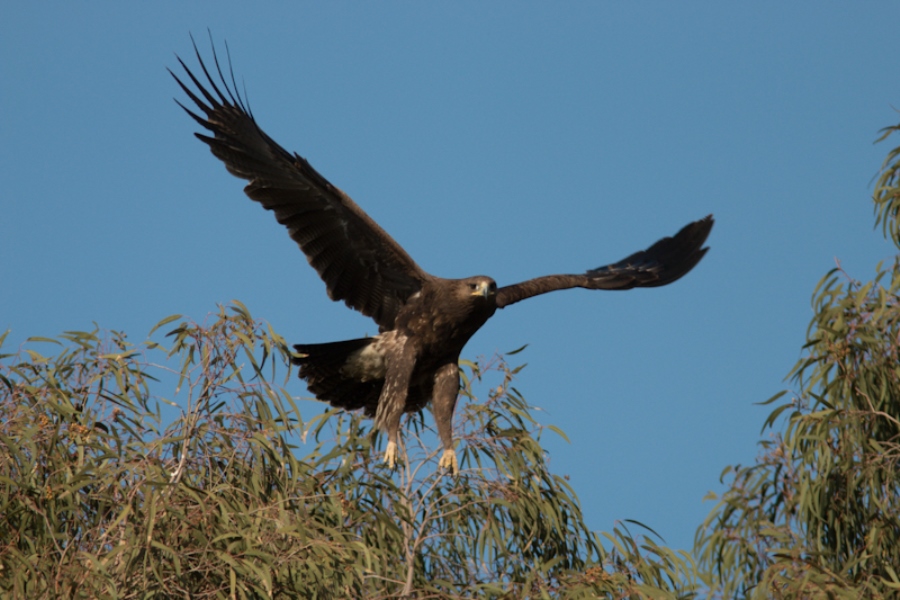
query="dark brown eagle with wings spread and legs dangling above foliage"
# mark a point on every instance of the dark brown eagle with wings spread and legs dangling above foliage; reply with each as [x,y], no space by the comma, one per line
[424,321]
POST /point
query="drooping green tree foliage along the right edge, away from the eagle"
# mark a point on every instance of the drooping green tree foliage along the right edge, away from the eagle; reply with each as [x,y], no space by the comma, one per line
[818,515]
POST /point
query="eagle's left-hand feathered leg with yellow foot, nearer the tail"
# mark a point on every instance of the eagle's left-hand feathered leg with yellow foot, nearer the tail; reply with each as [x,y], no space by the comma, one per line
[392,402]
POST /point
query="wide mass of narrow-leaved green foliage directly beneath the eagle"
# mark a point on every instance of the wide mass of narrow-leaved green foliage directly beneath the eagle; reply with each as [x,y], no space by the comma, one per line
[100,498]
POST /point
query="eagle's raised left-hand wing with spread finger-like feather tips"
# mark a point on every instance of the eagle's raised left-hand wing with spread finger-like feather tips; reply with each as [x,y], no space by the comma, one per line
[359,262]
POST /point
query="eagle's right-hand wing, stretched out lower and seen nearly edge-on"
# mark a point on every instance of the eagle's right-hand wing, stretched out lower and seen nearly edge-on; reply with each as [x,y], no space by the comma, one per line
[662,263]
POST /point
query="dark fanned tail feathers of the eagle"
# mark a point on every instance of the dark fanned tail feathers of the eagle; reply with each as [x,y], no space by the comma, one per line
[323,368]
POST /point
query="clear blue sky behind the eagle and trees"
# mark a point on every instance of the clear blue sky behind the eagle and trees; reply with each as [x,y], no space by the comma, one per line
[506,139]
